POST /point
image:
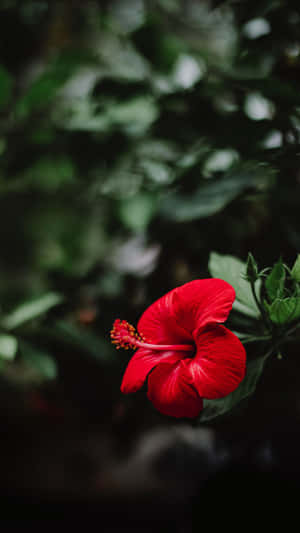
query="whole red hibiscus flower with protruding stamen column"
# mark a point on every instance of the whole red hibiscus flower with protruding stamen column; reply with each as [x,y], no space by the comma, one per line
[183,349]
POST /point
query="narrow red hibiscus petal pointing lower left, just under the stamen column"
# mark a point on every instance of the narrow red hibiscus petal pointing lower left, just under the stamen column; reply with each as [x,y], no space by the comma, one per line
[140,365]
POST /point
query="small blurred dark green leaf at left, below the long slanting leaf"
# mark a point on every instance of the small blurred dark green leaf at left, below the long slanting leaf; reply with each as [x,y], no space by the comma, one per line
[41,362]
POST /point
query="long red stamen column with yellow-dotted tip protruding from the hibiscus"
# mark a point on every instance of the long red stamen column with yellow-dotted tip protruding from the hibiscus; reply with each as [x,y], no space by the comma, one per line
[124,335]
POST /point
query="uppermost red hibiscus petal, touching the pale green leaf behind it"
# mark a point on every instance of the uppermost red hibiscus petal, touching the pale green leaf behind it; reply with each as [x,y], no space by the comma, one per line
[202,302]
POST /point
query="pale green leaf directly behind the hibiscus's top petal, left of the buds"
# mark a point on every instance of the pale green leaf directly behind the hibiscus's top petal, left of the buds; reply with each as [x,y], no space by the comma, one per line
[232,270]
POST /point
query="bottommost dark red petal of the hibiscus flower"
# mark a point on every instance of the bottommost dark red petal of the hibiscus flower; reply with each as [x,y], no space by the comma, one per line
[170,392]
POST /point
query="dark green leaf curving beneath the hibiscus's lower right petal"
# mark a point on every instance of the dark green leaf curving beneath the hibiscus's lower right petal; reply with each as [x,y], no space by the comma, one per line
[214,408]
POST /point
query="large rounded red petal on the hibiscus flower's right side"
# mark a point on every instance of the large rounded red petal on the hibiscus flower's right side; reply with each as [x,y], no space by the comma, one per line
[220,362]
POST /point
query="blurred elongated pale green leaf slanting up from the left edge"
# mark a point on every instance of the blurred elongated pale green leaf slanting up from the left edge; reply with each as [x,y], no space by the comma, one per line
[31,309]
